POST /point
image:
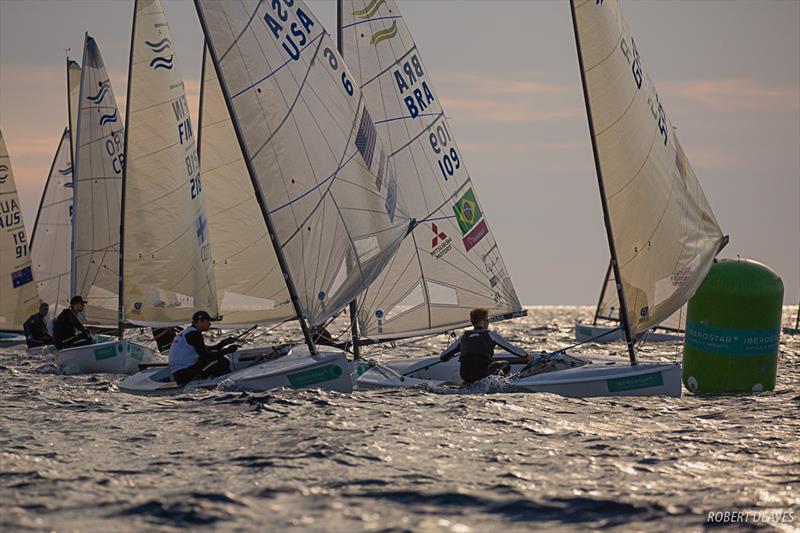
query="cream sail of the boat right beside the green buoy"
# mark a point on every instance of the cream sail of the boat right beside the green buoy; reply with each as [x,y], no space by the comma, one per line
[664,231]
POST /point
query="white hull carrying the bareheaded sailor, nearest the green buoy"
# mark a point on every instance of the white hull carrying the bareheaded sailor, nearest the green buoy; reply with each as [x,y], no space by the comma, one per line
[591,376]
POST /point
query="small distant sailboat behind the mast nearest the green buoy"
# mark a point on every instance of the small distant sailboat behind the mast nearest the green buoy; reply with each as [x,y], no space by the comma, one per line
[608,311]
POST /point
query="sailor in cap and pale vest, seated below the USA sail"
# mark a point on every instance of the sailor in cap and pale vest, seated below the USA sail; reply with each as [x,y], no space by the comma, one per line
[190,358]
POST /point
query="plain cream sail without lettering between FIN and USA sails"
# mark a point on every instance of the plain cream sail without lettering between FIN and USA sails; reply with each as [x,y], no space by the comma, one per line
[250,284]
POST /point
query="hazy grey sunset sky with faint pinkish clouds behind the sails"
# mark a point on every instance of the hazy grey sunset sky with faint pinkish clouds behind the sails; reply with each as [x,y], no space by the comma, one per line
[727,72]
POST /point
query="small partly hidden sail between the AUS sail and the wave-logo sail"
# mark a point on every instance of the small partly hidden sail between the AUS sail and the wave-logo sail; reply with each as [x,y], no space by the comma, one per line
[51,239]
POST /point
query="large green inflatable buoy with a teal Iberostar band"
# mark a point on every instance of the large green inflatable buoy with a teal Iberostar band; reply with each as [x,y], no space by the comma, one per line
[733,329]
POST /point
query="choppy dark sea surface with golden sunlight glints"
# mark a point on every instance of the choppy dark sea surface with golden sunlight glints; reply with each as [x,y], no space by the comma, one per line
[77,454]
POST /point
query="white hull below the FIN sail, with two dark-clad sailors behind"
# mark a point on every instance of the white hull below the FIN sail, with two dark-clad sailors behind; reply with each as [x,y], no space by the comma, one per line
[112,357]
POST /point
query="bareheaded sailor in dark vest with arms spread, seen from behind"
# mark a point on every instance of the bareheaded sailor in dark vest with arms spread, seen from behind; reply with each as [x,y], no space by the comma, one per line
[476,347]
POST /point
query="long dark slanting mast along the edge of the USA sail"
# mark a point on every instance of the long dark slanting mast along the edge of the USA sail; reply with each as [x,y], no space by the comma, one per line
[273,236]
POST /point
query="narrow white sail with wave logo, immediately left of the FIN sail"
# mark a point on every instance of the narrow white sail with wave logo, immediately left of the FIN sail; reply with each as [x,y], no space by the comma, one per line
[98,167]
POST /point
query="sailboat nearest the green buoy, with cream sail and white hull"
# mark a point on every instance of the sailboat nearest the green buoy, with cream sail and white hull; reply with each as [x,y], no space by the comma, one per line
[662,233]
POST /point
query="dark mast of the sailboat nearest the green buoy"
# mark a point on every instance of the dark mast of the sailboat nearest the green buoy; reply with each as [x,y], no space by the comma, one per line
[623,306]
